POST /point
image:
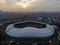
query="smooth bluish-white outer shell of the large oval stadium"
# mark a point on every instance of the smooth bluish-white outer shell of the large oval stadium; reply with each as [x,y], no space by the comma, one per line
[30,31]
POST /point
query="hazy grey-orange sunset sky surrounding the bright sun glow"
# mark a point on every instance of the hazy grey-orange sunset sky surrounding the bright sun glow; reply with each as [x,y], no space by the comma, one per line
[38,5]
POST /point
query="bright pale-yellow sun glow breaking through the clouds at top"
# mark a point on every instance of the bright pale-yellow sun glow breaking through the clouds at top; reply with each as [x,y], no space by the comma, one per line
[25,3]
